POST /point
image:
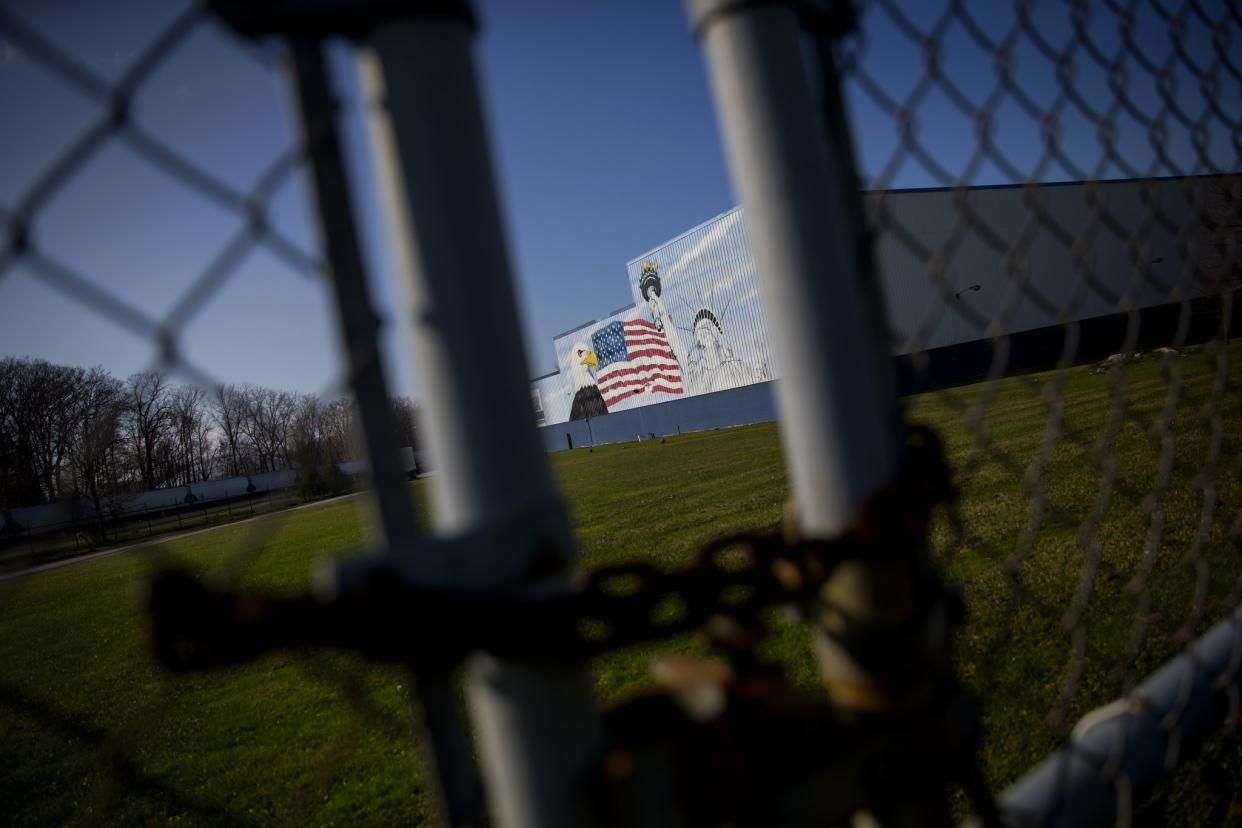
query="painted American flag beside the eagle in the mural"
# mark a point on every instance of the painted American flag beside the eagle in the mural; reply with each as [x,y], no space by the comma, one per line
[635,358]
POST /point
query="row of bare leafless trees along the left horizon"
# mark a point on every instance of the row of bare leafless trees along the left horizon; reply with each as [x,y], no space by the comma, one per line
[70,433]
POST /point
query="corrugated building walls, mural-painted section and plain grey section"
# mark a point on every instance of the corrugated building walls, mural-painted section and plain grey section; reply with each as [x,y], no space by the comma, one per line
[957,266]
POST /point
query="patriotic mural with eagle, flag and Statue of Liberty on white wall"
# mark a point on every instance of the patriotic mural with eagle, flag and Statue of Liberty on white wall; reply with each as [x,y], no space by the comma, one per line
[696,327]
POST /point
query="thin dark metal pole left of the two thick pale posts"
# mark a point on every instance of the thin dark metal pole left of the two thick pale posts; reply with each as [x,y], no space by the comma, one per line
[463,799]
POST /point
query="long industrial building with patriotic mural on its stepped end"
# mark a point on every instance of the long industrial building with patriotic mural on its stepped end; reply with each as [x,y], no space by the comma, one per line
[962,270]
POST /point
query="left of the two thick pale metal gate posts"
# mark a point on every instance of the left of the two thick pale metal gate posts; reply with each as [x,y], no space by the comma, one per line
[540,728]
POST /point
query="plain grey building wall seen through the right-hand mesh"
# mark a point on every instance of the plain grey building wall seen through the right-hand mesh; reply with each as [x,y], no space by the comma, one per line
[1028,258]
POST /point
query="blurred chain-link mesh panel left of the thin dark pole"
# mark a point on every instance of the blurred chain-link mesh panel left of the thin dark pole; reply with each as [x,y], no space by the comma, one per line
[99,736]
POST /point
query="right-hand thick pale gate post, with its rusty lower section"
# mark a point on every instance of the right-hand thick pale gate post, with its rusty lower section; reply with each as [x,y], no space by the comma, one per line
[841,421]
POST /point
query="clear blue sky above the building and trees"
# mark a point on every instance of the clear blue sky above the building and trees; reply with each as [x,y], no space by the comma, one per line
[605,146]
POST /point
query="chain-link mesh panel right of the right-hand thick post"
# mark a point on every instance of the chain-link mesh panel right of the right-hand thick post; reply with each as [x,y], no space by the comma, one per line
[1101,493]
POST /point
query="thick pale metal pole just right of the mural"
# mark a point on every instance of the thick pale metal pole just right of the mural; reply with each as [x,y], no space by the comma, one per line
[840,418]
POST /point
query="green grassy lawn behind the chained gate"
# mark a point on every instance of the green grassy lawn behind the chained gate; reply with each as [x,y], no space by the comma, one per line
[1085,498]
